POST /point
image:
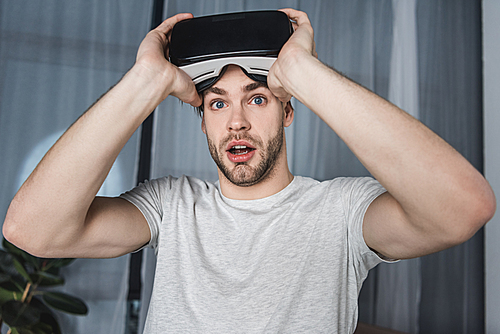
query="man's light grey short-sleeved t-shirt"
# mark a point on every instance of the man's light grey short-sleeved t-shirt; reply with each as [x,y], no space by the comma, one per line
[293,262]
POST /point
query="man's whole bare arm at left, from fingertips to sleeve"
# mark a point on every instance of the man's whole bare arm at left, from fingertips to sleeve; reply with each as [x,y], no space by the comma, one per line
[55,213]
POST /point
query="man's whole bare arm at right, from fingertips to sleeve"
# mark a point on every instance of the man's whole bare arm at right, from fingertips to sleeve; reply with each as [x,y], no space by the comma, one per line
[436,199]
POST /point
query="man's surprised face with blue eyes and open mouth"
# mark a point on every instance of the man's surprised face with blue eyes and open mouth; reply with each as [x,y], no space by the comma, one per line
[244,124]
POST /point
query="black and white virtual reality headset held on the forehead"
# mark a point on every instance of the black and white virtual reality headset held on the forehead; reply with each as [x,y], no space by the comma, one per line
[204,46]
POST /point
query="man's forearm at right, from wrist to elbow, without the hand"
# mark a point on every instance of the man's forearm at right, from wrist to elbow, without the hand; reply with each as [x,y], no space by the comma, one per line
[434,184]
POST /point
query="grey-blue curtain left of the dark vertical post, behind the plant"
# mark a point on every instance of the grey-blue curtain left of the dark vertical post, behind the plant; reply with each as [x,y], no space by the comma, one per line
[56,58]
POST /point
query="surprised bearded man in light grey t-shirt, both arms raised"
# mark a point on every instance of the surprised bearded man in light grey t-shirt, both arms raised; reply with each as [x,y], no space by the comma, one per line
[261,250]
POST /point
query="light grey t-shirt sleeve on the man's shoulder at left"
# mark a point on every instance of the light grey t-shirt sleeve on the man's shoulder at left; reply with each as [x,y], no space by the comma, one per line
[149,198]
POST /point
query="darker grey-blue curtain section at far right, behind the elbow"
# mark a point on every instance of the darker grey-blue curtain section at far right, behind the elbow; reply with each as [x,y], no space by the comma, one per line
[450,72]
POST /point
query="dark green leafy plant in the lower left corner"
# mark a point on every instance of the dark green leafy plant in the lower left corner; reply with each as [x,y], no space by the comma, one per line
[26,297]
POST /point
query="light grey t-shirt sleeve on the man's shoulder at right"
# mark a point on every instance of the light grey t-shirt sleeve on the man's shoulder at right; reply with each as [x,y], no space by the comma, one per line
[357,195]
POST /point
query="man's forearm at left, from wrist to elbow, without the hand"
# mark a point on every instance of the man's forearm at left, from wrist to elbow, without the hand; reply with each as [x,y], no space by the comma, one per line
[53,202]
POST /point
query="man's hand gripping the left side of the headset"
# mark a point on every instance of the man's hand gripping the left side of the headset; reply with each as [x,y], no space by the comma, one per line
[152,61]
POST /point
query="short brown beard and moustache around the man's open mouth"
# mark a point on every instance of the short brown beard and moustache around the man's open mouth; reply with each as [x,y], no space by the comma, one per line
[243,174]
